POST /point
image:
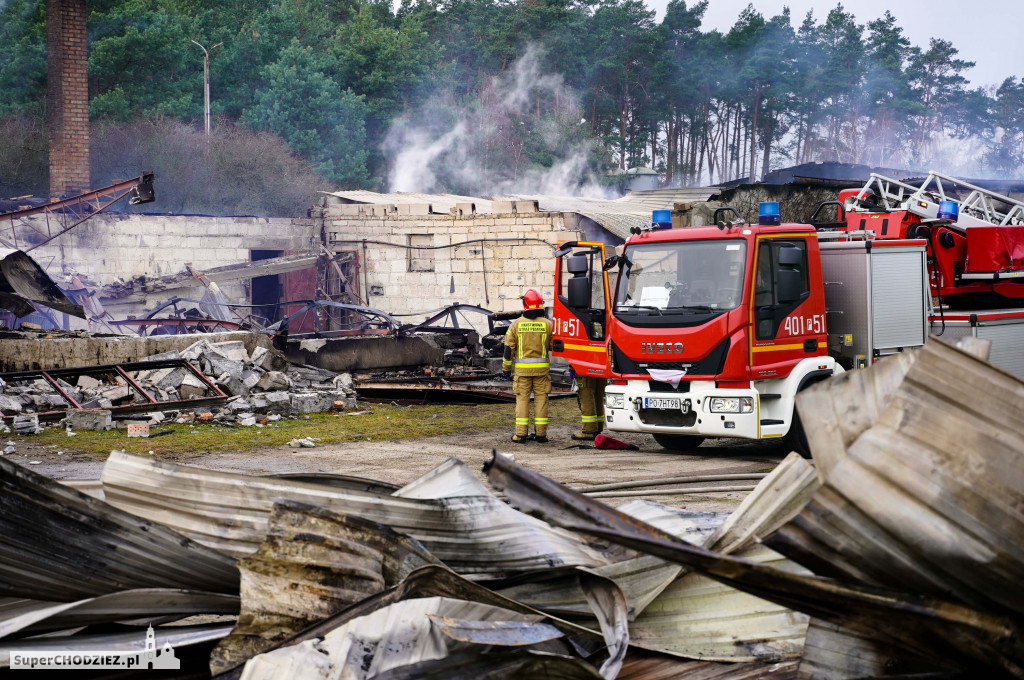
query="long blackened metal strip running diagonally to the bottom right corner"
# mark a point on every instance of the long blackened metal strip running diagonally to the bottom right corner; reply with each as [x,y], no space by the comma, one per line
[929,627]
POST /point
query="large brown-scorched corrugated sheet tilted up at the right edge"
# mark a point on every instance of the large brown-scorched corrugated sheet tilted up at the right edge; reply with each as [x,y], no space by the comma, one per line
[929,500]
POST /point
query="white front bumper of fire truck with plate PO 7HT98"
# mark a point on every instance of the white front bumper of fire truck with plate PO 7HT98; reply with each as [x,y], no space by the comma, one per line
[704,411]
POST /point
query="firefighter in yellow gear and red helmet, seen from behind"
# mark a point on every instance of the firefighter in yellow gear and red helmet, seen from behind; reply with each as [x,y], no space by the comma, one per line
[528,356]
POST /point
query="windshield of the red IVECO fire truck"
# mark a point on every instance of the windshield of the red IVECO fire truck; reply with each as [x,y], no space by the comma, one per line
[680,278]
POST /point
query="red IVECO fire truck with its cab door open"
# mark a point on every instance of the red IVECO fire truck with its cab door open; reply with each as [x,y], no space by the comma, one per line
[712,331]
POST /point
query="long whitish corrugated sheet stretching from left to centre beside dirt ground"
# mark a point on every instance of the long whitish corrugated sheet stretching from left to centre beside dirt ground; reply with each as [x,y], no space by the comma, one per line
[477,535]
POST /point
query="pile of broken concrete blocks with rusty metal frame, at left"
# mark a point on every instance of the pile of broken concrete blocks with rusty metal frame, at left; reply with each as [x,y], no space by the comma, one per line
[225,381]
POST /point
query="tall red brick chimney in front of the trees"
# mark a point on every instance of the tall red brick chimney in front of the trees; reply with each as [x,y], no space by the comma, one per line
[67,97]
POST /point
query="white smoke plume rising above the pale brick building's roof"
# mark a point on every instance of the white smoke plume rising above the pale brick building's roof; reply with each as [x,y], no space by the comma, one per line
[485,150]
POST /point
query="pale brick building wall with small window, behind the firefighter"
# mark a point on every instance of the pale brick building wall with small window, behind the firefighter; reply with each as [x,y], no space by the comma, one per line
[415,262]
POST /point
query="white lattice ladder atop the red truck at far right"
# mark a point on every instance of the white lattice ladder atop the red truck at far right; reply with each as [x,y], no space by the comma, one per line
[982,207]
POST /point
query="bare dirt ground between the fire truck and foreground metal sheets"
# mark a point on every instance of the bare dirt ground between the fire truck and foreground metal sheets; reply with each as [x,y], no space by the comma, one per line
[402,461]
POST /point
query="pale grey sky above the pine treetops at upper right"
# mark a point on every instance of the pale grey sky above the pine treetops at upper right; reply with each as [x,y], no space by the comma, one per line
[987,32]
